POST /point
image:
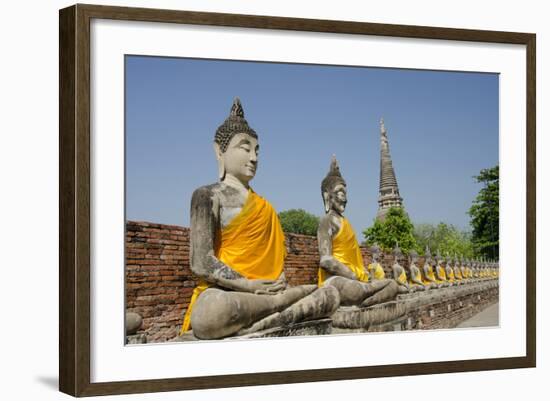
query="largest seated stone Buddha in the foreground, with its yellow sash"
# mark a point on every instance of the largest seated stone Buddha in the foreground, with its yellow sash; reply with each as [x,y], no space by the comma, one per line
[238,249]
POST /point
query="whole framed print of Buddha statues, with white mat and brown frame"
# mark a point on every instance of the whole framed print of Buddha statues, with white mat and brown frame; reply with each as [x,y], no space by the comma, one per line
[261,188]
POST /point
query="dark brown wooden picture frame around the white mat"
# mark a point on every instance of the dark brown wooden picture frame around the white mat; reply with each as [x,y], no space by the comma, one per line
[75,210]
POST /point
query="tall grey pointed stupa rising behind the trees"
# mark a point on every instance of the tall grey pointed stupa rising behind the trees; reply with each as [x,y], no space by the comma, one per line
[389,191]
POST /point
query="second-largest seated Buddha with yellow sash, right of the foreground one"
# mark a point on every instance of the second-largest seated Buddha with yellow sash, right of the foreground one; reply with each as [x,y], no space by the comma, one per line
[341,263]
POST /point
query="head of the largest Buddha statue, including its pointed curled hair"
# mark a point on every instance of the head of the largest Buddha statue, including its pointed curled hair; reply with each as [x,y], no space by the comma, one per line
[236,146]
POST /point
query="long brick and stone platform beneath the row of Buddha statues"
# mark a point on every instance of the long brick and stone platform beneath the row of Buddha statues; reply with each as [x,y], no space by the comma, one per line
[431,309]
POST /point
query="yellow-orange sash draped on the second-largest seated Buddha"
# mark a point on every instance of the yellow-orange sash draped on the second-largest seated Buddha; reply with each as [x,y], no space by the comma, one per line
[345,249]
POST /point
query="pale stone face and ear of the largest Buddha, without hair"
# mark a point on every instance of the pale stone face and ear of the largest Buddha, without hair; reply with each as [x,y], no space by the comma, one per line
[240,159]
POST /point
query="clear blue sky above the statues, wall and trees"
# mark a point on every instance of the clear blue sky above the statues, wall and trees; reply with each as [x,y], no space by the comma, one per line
[442,129]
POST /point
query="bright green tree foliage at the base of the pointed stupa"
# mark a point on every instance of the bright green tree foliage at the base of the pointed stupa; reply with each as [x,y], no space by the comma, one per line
[396,227]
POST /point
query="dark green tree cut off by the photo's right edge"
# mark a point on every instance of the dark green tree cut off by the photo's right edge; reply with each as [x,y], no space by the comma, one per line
[484,215]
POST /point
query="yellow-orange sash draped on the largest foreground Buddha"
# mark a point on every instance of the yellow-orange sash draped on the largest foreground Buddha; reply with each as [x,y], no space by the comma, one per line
[253,244]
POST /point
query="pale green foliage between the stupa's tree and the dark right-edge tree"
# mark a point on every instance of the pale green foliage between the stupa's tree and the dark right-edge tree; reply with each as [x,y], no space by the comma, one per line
[444,237]
